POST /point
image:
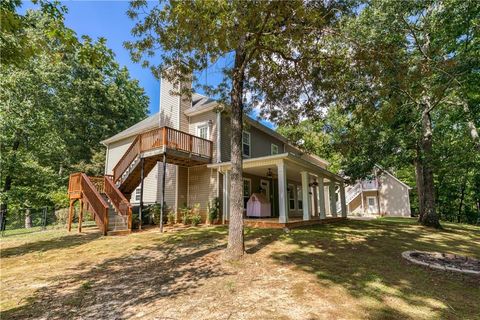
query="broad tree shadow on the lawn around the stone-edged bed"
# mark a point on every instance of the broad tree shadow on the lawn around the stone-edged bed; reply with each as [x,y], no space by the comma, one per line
[364,257]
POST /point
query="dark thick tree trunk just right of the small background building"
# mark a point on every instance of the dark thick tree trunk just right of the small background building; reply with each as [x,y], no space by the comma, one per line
[429,217]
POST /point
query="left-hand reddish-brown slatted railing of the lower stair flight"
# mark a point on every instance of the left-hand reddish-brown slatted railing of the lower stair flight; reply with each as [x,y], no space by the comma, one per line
[96,202]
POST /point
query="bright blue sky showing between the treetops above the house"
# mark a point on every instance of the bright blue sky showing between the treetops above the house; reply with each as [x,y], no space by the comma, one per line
[108,19]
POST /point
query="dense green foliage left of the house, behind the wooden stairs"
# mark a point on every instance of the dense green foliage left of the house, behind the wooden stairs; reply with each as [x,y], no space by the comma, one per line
[59,97]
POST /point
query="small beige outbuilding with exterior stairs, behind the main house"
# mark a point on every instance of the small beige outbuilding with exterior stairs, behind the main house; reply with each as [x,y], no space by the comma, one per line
[381,195]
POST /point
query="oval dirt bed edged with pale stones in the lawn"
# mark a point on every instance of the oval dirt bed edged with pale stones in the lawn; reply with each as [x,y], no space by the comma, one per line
[445,261]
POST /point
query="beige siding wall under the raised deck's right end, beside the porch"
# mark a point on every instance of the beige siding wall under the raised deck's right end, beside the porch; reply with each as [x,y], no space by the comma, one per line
[202,188]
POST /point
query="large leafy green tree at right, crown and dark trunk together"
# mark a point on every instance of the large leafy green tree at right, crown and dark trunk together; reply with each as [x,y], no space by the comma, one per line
[393,66]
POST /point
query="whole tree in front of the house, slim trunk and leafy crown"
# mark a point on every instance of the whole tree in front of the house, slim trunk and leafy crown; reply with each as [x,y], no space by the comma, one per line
[258,35]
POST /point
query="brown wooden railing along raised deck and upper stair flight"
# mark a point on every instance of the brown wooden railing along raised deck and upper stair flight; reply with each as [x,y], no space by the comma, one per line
[157,138]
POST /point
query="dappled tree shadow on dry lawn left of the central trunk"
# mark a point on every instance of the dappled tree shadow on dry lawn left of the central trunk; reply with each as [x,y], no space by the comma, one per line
[120,288]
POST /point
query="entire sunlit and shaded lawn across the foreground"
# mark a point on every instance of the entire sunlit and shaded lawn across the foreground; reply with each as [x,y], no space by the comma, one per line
[349,270]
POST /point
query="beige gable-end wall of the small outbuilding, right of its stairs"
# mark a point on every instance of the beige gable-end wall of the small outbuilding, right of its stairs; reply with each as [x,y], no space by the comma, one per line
[394,197]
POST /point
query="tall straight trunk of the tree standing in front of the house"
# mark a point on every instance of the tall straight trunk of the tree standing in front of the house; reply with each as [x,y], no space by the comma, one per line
[235,247]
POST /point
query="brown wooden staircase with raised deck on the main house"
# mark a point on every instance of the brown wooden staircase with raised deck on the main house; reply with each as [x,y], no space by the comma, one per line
[107,197]
